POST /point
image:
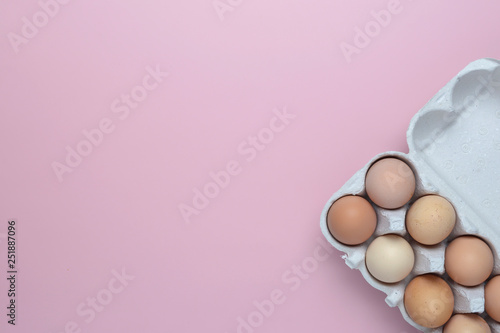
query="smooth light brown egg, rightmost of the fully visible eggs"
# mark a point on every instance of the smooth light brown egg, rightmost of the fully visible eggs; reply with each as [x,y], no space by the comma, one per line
[468,261]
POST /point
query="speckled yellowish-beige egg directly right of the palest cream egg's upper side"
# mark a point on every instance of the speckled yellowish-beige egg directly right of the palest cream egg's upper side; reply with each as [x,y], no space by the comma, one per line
[430,219]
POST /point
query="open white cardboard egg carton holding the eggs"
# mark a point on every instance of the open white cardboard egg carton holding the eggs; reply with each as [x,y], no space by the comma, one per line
[454,143]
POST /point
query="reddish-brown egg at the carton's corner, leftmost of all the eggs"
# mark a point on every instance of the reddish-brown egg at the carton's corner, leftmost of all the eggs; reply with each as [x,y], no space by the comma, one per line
[352,220]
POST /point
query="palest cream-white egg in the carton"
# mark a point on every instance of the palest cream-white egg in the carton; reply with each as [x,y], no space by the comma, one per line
[390,258]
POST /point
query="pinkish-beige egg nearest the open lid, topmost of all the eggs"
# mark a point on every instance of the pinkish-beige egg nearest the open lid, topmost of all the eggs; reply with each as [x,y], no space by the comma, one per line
[390,183]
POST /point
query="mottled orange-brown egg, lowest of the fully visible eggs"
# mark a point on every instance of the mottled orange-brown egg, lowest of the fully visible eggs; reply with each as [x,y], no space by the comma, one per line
[429,300]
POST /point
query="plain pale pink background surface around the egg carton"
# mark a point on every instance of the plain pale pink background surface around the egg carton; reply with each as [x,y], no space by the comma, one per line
[119,209]
